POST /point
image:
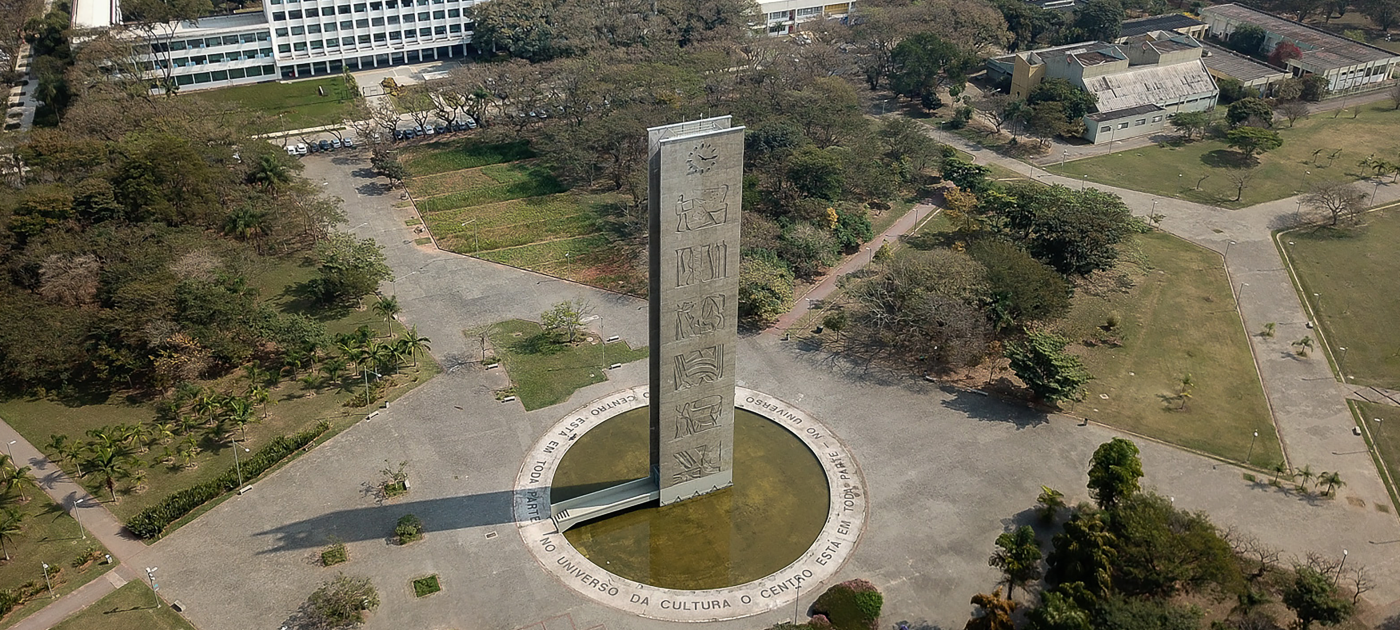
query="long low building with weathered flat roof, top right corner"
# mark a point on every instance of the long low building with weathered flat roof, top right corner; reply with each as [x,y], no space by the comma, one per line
[1346,64]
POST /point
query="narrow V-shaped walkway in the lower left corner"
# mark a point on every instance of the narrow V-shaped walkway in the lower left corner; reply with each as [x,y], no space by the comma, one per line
[94,519]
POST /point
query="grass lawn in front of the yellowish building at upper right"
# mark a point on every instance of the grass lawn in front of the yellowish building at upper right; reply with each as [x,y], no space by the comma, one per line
[1174,170]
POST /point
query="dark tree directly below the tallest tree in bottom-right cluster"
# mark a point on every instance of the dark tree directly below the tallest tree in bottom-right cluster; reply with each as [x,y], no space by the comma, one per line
[1084,555]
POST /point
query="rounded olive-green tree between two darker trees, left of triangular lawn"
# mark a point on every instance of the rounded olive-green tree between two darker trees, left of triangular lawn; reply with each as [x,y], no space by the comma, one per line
[1020,289]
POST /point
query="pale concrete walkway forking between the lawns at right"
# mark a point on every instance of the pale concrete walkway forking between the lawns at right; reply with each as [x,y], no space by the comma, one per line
[1311,416]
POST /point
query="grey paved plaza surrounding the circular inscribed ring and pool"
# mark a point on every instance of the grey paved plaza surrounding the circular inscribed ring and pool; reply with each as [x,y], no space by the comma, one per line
[947,471]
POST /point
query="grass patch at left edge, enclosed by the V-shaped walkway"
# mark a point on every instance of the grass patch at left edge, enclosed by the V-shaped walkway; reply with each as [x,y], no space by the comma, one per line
[50,537]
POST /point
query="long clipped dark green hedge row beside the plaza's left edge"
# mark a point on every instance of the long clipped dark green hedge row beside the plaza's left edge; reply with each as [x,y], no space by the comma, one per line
[152,521]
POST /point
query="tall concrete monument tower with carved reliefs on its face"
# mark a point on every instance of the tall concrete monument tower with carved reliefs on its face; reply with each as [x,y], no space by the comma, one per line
[696,173]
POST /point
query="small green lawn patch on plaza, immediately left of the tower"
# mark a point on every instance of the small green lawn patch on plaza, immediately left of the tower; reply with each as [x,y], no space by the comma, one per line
[545,373]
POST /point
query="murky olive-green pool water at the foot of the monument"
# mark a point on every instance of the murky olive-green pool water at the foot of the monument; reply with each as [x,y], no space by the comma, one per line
[772,516]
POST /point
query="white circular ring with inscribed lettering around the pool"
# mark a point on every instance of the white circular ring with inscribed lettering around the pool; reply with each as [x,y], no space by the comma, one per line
[845,521]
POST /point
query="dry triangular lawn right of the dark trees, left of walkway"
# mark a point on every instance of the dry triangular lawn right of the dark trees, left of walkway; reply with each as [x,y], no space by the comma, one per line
[1136,384]
